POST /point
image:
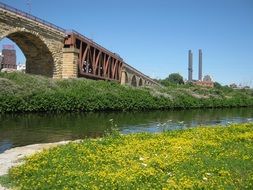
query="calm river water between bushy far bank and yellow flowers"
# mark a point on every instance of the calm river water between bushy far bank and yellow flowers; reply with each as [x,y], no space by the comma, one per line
[24,129]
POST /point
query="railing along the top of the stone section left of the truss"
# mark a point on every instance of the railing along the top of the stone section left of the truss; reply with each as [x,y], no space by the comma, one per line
[29,16]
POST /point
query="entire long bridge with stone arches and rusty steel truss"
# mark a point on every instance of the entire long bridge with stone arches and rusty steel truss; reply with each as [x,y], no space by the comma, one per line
[58,53]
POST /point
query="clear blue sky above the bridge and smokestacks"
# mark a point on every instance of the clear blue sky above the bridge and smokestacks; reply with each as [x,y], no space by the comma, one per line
[154,36]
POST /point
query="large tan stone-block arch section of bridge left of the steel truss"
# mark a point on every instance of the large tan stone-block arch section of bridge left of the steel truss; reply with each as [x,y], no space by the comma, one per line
[41,44]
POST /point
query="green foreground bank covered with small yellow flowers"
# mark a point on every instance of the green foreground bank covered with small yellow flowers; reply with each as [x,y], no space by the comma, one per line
[198,158]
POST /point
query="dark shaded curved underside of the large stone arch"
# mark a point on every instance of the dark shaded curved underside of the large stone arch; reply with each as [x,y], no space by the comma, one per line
[39,59]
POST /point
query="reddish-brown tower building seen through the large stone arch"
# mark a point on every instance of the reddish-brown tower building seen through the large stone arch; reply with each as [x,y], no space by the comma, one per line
[8,57]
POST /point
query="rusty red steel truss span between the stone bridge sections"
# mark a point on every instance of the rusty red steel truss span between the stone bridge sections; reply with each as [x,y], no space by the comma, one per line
[94,61]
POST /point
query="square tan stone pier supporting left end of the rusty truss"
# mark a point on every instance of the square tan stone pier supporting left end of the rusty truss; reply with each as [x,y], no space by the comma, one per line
[70,62]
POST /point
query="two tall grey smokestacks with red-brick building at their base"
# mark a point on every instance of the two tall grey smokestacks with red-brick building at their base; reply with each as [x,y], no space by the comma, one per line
[207,81]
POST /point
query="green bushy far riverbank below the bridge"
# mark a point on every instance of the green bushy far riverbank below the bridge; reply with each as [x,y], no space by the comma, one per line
[27,93]
